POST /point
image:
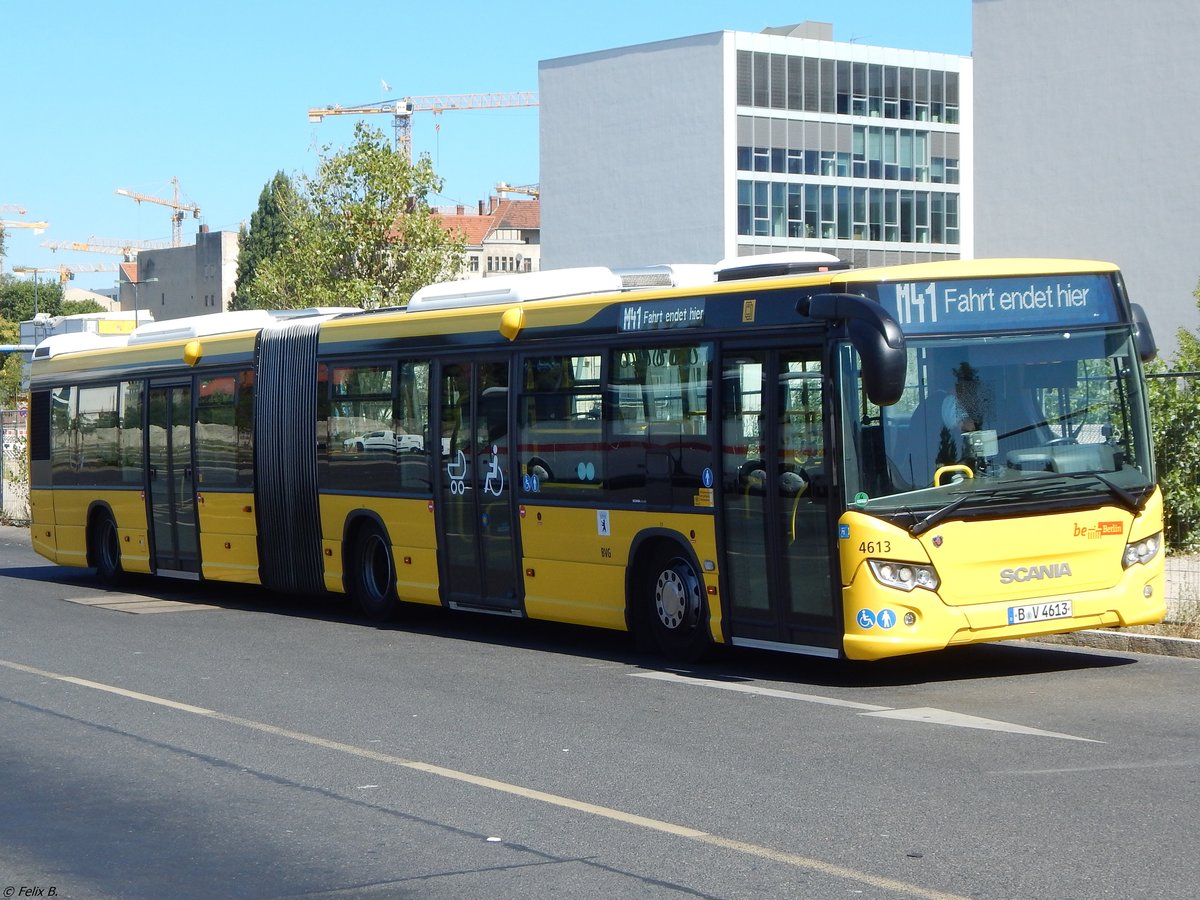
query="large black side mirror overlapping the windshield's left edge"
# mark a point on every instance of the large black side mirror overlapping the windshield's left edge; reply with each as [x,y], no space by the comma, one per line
[874,334]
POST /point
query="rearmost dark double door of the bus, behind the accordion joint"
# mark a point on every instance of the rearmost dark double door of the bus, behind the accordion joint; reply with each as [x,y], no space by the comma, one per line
[171,485]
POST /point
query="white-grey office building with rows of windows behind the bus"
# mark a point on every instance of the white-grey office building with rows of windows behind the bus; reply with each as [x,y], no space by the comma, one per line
[735,143]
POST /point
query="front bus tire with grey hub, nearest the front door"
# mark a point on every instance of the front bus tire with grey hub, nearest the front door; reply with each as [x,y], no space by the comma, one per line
[675,610]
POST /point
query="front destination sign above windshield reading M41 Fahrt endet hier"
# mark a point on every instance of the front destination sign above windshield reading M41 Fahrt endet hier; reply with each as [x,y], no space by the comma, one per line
[1001,304]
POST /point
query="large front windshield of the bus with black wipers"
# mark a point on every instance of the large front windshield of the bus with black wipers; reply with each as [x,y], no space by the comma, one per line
[1047,419]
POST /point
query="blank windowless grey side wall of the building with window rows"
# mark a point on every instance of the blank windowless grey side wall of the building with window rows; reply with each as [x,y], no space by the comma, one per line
[633,158]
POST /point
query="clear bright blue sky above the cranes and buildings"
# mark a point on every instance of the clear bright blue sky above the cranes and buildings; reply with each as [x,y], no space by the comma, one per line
[215,94]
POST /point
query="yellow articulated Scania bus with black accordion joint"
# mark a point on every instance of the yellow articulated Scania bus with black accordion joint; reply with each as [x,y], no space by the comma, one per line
[779,453]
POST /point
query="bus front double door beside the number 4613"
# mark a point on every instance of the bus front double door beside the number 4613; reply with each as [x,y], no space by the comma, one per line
[777,501]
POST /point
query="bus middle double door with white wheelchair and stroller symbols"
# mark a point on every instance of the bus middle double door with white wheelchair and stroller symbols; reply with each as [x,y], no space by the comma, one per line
[479,554]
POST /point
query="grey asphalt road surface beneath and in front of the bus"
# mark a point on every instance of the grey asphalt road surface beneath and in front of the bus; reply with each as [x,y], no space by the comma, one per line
[245,745]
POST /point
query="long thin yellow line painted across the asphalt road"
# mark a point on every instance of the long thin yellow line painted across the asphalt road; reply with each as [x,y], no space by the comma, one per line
[616,815]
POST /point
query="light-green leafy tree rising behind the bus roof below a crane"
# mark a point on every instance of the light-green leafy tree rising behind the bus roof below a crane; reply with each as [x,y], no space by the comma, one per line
[362,233]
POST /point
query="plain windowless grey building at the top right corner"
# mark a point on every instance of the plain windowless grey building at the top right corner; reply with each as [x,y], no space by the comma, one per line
[1087,135]
